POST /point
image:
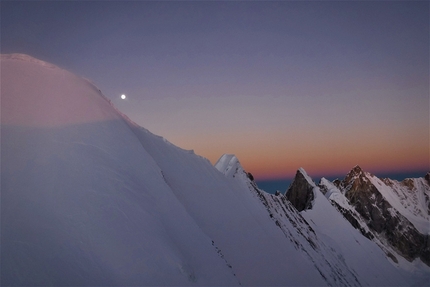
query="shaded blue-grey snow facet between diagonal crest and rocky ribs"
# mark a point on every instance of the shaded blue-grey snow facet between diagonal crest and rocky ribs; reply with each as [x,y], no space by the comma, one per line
[239,225]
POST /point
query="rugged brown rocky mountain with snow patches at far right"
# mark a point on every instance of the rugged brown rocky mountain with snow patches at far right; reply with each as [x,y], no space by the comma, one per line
[396,213]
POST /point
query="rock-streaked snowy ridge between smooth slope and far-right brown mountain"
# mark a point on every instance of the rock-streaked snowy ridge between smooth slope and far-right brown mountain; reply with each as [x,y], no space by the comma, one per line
[341,223]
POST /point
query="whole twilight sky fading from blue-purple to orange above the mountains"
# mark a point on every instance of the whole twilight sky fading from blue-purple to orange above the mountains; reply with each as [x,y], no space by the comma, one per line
[319,85]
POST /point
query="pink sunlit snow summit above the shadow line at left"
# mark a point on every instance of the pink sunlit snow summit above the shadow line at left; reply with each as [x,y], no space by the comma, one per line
[39,94]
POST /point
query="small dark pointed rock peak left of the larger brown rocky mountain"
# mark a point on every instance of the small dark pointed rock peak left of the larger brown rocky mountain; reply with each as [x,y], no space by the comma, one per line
[300,193]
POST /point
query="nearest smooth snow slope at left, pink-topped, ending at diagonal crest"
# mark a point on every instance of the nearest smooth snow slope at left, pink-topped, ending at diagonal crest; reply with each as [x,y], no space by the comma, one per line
[83,203]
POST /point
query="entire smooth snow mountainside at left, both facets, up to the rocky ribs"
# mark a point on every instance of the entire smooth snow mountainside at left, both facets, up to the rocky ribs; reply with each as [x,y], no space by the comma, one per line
[93,199]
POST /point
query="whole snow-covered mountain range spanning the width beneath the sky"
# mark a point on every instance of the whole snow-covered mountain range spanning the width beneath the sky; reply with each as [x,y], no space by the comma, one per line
[90,198]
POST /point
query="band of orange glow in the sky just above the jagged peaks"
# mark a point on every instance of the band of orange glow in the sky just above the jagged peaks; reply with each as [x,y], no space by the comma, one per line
[267,158]
